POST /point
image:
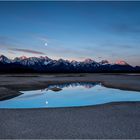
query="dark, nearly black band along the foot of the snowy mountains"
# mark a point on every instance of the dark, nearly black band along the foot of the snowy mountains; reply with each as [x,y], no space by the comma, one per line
[18,68]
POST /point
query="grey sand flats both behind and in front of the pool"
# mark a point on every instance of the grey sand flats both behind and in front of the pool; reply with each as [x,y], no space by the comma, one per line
[114,120]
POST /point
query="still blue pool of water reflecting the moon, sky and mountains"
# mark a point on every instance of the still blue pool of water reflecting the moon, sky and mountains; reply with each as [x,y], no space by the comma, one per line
[71,95]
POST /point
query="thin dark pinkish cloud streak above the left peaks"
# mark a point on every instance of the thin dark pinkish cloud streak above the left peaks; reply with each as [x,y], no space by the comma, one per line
[26,50]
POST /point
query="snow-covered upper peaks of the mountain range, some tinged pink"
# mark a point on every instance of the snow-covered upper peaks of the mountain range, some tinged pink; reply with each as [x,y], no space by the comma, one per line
[45,61]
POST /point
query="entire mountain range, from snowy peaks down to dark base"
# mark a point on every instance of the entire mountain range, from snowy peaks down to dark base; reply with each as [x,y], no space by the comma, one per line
[47,65]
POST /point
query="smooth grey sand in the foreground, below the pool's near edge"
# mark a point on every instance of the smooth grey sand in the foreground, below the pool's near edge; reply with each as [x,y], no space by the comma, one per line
[116,120]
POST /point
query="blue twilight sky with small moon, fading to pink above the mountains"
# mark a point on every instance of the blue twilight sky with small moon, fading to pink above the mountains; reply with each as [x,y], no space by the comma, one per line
[71,30]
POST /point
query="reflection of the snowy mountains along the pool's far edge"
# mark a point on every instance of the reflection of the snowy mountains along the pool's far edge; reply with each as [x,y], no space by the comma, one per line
[74,84]
